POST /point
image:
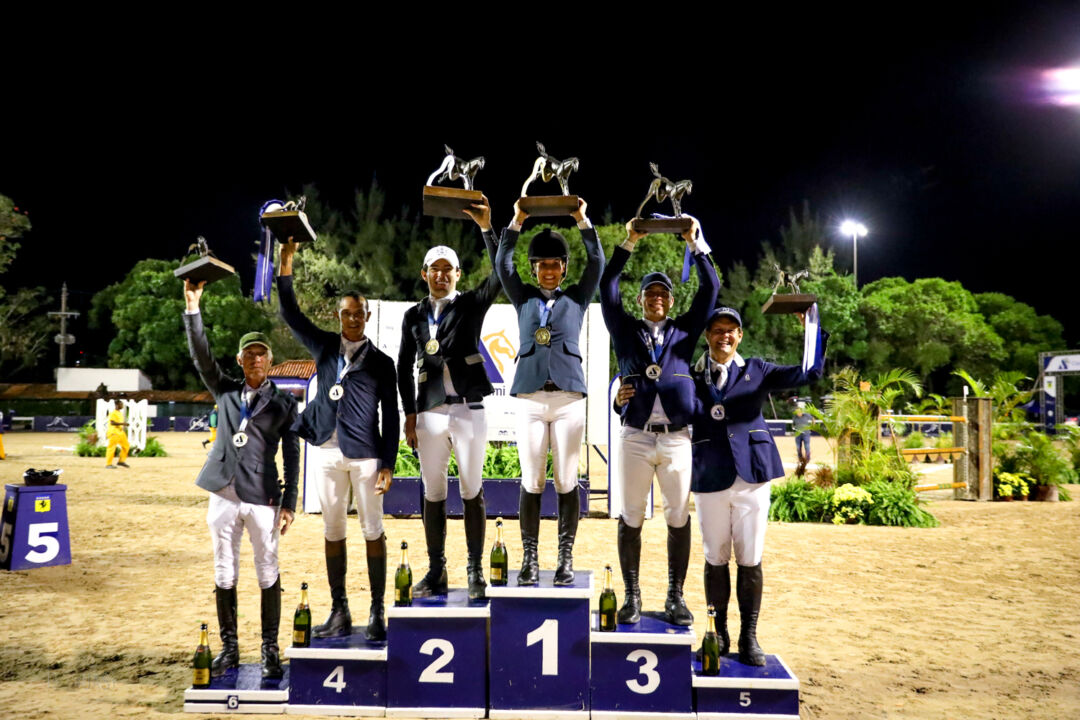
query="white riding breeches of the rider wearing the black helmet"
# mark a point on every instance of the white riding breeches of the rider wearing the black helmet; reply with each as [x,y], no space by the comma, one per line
[550,419]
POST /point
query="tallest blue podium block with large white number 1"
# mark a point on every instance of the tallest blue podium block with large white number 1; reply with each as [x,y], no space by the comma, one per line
[539,661]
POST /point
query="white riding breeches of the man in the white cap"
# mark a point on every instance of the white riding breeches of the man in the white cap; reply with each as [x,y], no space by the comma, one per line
[447,428]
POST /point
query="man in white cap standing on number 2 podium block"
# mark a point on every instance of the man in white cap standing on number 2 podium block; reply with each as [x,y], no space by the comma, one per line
[445,410]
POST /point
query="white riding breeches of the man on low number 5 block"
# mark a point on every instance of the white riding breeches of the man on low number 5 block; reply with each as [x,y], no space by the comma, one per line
[734,518]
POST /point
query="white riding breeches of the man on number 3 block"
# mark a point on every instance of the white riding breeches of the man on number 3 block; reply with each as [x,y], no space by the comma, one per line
[668,457]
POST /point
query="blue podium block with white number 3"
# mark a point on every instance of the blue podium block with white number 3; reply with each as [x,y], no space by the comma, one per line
[642,671]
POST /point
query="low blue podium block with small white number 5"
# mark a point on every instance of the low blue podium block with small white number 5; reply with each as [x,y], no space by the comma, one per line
[745,691]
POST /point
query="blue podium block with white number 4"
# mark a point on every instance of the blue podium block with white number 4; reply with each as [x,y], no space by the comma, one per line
[339,676]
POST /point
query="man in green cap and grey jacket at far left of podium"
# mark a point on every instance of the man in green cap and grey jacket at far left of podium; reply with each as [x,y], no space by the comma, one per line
[241,476]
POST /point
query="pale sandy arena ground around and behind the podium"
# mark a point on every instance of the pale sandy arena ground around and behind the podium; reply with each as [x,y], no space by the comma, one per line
[976,619]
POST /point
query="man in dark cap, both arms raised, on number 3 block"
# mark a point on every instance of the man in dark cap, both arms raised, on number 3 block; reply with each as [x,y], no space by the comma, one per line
[656,403]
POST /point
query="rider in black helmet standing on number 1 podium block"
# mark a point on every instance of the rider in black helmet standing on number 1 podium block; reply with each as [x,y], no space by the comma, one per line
[549,383]
